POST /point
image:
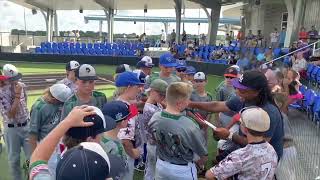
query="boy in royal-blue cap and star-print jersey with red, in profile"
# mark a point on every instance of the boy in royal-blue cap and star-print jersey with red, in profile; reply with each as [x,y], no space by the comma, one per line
[128,87]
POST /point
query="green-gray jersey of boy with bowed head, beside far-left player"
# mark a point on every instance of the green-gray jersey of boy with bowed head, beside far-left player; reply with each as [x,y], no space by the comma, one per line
[44,117]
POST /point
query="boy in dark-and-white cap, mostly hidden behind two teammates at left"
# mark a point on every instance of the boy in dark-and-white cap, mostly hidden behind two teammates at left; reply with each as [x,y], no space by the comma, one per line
[70,79]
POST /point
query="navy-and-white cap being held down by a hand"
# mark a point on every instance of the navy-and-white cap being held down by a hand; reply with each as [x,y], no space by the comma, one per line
[101,124]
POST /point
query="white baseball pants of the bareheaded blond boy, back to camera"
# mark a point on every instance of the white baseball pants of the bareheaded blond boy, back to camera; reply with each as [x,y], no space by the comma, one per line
[168,171]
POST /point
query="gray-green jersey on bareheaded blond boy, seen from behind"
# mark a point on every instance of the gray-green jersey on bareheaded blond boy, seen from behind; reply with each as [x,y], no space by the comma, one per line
[177,138]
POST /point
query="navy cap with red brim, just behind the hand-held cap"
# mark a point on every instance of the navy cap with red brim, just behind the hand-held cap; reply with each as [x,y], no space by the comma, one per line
[117,110]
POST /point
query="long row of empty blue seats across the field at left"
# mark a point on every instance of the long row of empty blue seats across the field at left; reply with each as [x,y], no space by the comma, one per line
[66,48]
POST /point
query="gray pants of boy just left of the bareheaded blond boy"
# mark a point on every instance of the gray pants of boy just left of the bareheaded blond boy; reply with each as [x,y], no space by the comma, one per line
[151,162]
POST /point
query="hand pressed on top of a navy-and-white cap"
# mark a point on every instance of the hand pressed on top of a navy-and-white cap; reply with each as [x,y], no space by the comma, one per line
[76,116]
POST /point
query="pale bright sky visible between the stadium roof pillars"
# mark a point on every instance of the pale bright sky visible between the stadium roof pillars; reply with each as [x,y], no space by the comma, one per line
[12,17]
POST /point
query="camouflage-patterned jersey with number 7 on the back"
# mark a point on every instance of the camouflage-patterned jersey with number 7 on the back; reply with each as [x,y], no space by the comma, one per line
[255,161]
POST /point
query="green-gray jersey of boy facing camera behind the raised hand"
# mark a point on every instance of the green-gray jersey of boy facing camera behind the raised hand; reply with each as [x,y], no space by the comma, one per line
[98,99]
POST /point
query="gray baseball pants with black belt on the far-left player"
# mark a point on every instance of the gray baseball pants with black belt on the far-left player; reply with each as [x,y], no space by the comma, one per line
[15,138]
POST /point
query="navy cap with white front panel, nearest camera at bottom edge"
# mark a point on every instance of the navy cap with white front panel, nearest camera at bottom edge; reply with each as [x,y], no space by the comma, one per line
[88,161]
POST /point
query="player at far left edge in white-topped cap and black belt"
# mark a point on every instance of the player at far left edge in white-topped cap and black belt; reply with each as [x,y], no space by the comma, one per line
[15,116]
